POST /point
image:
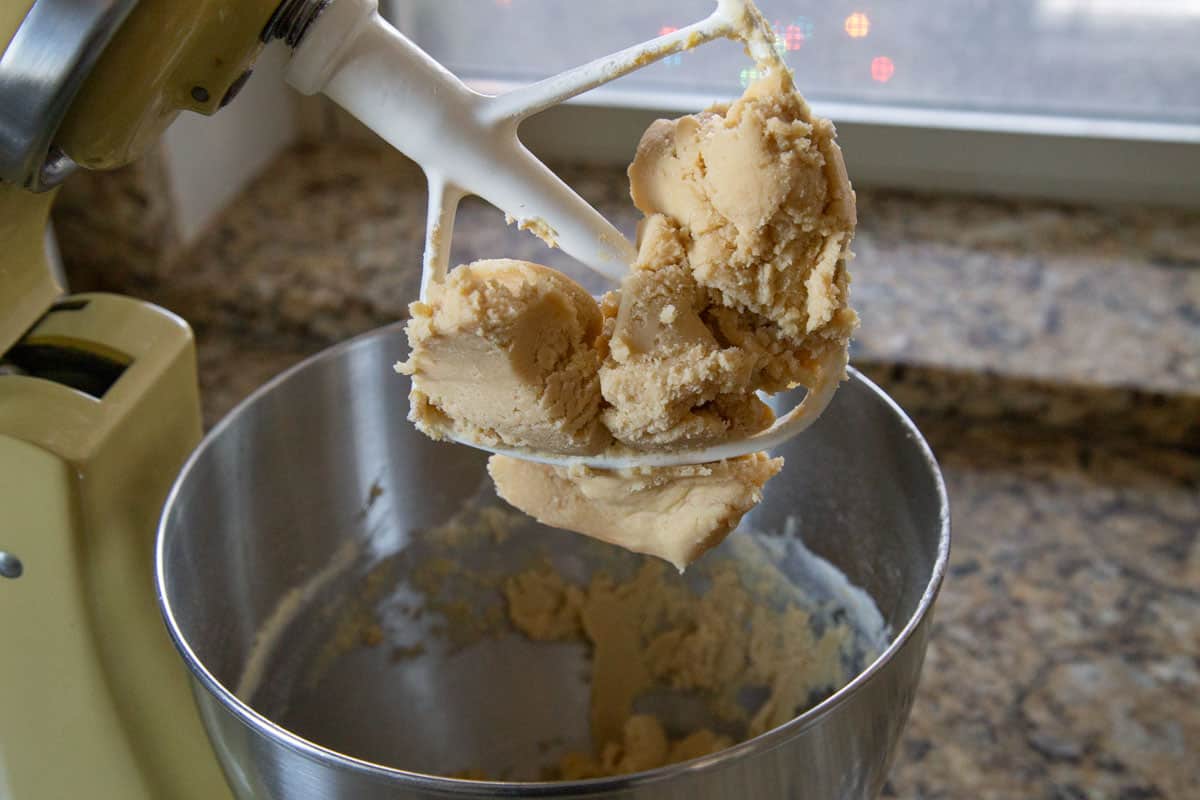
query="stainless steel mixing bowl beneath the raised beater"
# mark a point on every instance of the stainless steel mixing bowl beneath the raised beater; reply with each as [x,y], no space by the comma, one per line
[319,477]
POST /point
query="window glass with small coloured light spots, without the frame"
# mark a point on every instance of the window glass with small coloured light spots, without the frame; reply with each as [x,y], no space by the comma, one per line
[1121,59]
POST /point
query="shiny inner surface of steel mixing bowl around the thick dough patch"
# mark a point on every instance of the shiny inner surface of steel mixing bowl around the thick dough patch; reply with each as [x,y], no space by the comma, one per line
[345,576]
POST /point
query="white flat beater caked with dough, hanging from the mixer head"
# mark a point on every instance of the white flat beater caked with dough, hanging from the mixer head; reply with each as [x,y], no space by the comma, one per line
[467,145]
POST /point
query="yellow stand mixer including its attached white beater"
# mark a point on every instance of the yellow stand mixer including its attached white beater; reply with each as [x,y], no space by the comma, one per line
[99,401]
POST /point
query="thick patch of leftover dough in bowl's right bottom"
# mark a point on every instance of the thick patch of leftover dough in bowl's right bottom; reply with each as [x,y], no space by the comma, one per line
[651,633]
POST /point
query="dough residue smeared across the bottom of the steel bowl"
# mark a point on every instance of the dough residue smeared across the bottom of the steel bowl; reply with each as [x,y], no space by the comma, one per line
[679,666]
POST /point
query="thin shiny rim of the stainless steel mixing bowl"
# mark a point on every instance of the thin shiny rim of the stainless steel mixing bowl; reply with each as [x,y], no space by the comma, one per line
[263,726]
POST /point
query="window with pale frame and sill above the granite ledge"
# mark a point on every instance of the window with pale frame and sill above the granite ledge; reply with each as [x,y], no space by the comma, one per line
[1112,82]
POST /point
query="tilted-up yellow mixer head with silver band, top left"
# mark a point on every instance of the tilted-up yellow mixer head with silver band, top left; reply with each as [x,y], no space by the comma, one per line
[92,86]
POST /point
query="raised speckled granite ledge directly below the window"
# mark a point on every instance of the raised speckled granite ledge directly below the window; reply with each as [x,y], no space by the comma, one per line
[329,243]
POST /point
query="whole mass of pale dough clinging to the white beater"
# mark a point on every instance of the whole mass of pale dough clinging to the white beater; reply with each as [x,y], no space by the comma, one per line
[740,286]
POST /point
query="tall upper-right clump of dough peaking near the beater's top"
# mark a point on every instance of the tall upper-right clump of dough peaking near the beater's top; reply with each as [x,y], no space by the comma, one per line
[761,190]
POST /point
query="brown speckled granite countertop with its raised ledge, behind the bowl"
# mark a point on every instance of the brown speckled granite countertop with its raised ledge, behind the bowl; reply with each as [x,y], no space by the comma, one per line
[1051,354]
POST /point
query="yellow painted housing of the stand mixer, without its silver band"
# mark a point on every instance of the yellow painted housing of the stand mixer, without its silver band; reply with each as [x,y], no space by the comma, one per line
[99,408]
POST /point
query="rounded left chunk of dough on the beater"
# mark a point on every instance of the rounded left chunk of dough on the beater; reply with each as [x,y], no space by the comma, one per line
[505,353]
